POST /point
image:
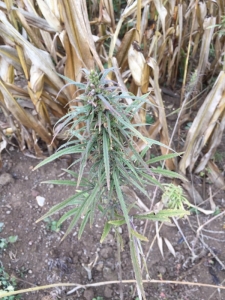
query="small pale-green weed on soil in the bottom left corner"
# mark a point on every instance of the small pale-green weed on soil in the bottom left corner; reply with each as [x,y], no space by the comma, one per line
[7,284]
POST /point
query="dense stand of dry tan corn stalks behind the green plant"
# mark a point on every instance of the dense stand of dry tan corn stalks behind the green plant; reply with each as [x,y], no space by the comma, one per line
[151,44]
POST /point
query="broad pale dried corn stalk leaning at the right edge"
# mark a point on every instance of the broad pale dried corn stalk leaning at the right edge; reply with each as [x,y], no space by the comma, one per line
[206,131]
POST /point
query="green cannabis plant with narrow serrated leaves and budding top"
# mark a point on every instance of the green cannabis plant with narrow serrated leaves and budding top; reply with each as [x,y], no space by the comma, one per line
[99,127]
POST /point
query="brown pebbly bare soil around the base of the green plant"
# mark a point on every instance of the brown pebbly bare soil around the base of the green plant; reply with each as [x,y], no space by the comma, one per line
[39,258]
